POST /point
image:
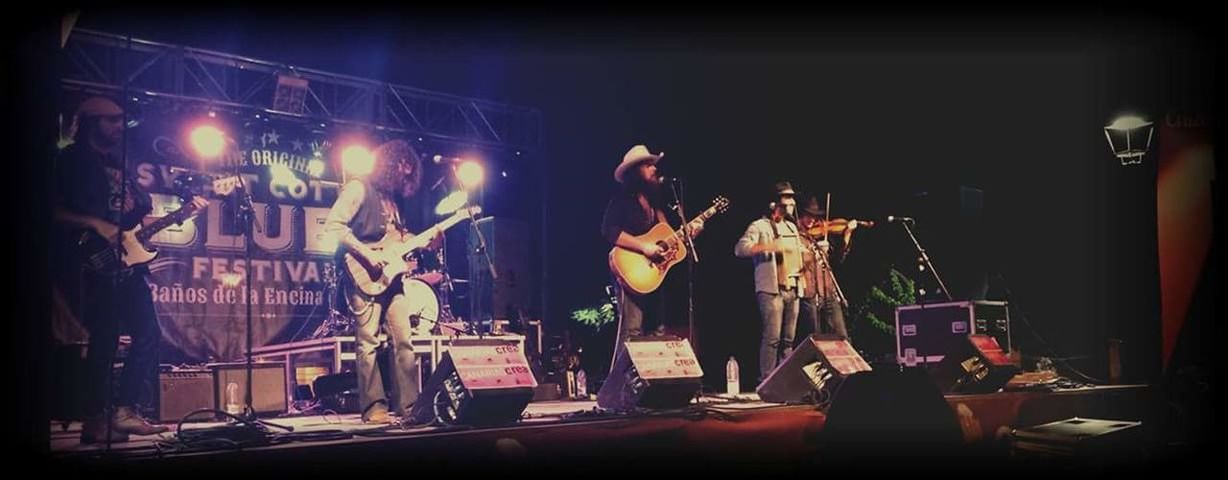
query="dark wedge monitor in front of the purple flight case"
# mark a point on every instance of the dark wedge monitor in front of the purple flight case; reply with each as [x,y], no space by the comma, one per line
[974,365]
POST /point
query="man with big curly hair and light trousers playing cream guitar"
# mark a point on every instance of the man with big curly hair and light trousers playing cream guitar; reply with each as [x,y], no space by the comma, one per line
[365,211]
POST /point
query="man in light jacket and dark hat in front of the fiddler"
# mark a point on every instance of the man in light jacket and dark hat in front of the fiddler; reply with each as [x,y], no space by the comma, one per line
[774,245]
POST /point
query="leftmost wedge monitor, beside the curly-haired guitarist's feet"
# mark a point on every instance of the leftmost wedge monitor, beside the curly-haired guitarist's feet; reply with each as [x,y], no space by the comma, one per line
[478,382]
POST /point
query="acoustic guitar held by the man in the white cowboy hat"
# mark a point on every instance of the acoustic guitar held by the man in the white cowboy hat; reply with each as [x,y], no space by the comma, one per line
[643,274]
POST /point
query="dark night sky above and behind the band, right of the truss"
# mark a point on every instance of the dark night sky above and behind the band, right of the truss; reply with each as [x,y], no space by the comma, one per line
[871,111]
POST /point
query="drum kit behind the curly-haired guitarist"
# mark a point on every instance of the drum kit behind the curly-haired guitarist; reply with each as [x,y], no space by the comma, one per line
[428,287]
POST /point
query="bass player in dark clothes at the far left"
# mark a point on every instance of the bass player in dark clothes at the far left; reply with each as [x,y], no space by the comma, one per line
[95,197]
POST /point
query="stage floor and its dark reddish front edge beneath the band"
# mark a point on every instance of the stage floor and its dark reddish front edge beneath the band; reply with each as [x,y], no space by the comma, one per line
[578,435]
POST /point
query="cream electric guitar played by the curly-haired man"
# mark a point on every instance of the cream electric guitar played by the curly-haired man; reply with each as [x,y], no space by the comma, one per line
[395,249]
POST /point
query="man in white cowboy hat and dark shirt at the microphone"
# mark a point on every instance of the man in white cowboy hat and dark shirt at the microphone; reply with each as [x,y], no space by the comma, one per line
[634,211]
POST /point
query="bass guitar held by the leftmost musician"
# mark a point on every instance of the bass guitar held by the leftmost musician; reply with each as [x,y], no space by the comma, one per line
[101,256]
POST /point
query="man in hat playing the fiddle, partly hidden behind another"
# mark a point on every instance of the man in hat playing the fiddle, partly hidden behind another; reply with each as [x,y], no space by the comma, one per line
[822,303]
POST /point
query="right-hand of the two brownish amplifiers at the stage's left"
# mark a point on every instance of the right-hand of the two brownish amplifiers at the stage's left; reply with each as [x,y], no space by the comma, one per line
[270,393]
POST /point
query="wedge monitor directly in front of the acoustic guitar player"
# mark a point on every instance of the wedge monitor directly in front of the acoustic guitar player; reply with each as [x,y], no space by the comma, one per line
[653,373]
